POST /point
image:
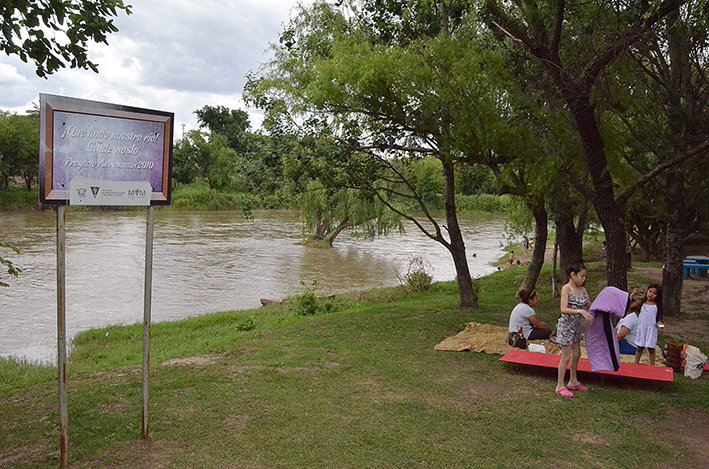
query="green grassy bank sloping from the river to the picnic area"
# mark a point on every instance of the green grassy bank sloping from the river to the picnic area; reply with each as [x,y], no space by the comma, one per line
[359,387]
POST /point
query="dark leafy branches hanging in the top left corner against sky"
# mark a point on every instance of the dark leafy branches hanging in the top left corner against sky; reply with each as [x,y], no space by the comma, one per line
[54,34]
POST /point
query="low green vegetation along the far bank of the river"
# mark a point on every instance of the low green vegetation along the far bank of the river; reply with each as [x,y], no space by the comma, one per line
[198,196]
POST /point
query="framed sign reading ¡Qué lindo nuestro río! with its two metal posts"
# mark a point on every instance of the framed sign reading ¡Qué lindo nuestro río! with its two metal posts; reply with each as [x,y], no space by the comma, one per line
[94,153]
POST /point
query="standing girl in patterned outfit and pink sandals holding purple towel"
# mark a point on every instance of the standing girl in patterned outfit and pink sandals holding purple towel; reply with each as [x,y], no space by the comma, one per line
[574,307]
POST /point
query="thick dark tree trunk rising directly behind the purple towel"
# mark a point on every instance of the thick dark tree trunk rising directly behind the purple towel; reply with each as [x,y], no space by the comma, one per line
[607,208]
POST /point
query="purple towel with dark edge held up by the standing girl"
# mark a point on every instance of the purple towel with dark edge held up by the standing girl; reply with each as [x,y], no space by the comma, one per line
[601,341]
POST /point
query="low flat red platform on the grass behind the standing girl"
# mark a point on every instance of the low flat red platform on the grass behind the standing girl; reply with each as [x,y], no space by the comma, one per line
[627,370]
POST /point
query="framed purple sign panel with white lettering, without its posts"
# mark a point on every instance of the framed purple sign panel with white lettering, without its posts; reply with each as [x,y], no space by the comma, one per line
[103,142]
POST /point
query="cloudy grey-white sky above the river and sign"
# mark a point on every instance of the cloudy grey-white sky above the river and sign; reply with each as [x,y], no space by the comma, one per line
[169,55]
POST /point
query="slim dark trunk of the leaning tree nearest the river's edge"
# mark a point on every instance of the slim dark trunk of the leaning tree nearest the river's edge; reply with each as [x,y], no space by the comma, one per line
[468,298]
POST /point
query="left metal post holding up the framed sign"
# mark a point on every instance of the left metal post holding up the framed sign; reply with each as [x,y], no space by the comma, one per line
[61,336]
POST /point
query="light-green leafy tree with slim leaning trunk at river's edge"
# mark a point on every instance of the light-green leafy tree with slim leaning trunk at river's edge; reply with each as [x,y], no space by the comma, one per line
[391,94]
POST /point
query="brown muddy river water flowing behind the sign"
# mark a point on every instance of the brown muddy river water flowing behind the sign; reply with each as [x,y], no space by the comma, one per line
[202,262]
